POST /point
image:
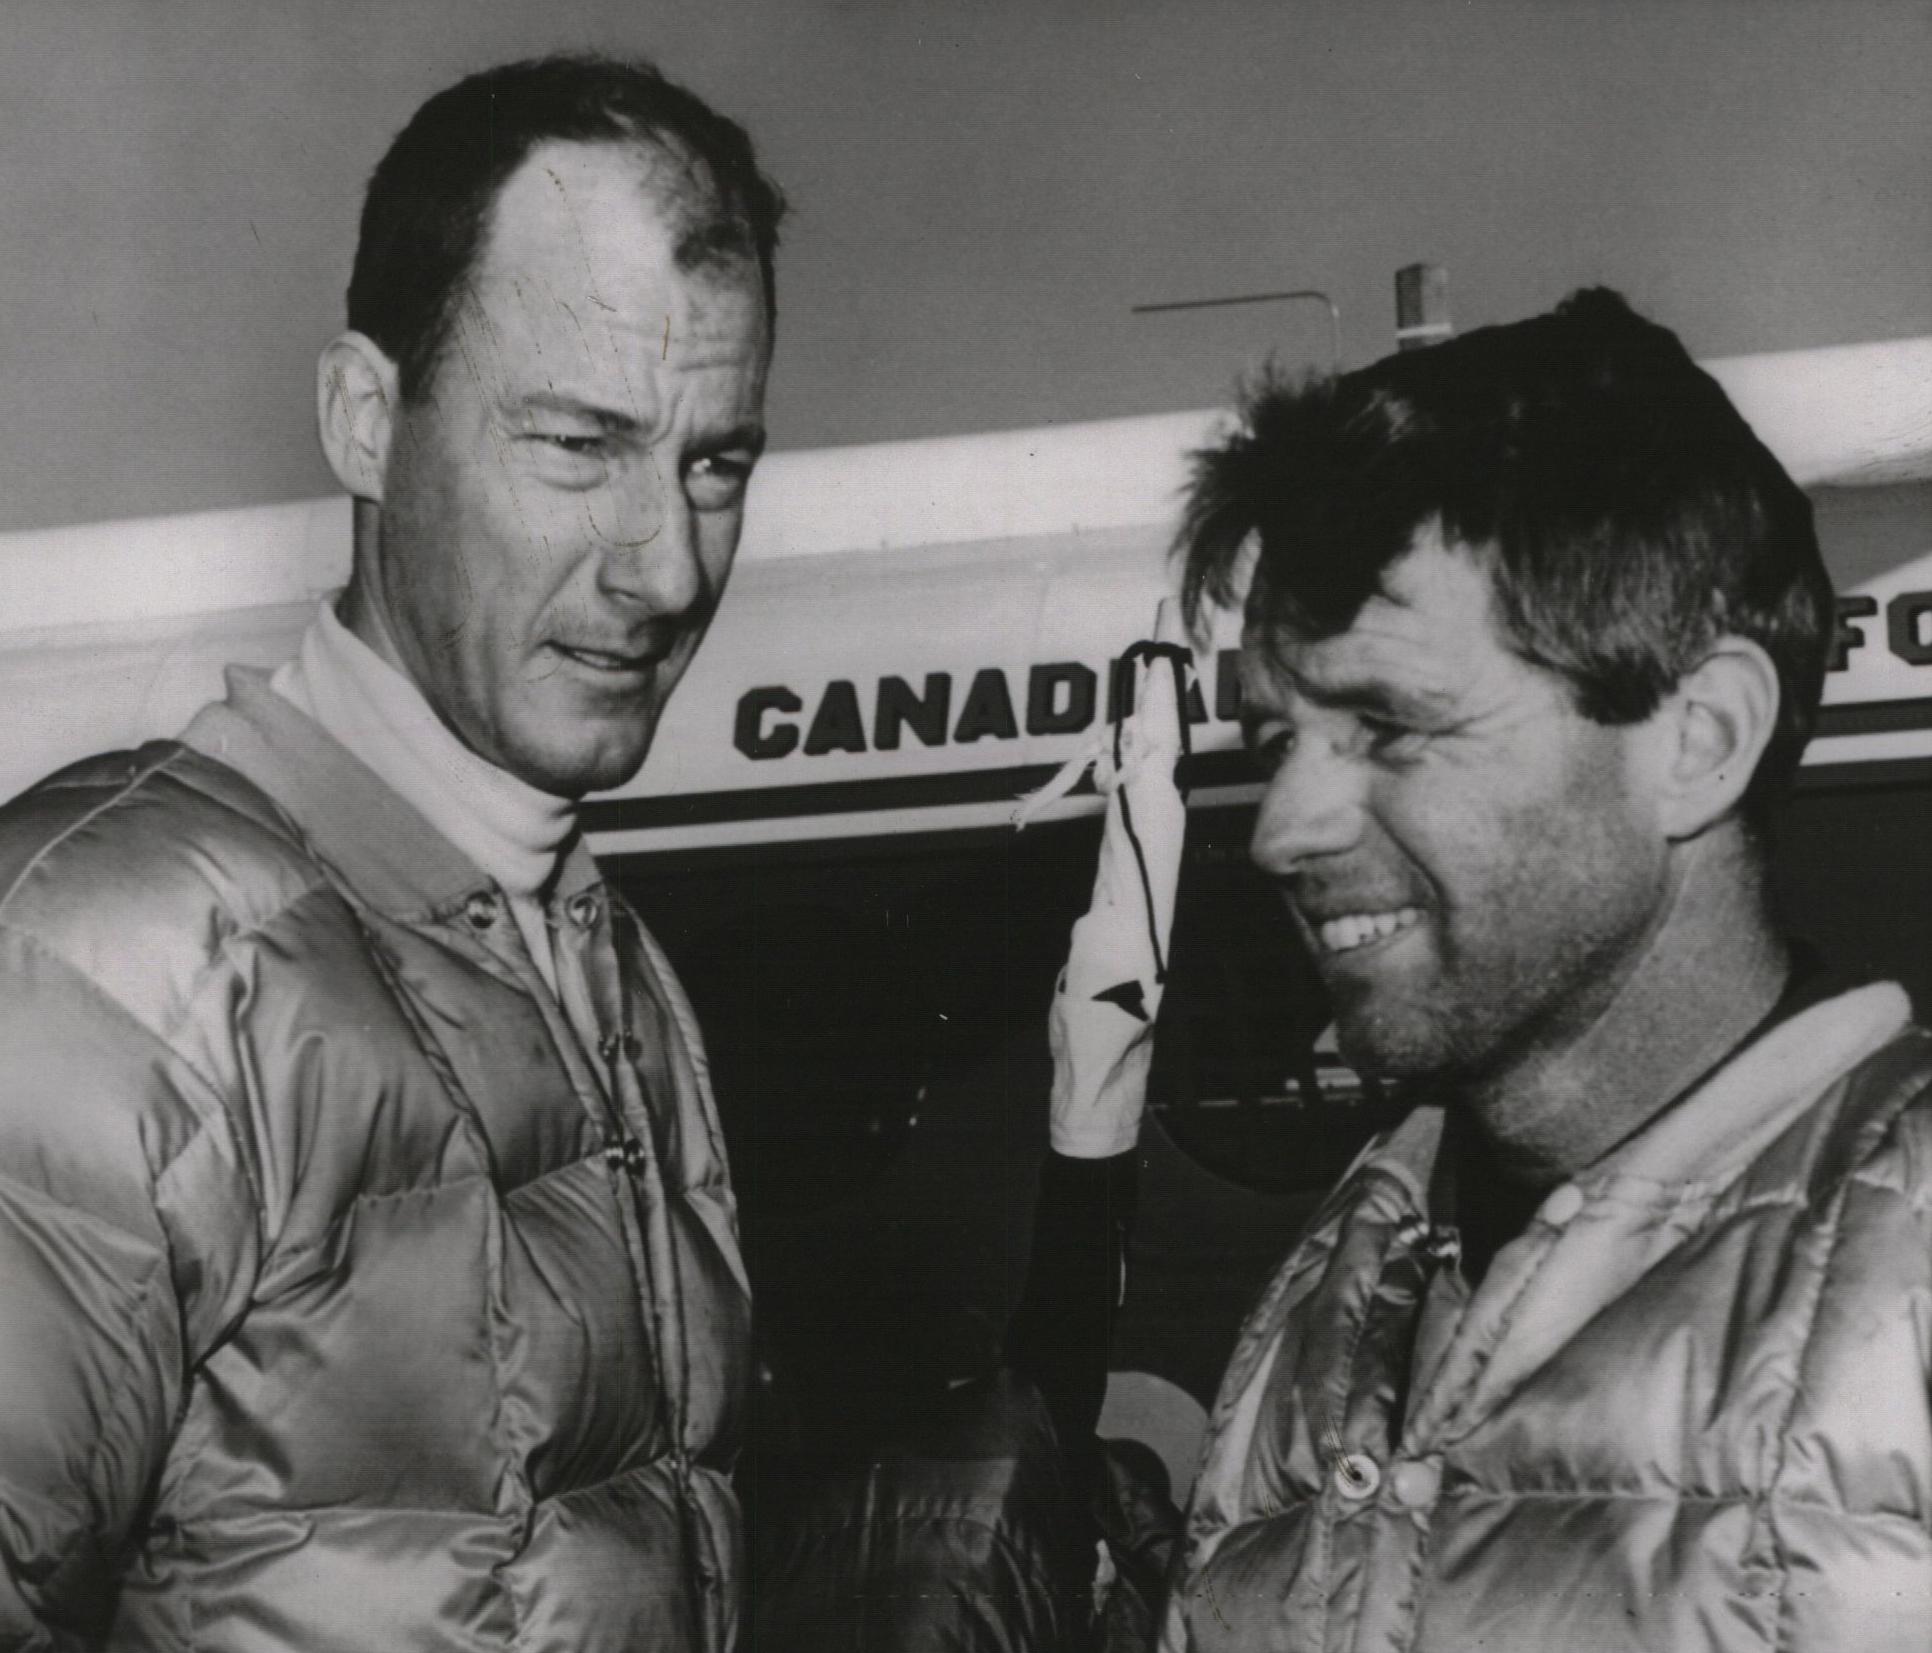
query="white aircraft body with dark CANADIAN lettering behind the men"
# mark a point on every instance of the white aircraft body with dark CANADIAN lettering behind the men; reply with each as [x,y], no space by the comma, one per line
[919,632]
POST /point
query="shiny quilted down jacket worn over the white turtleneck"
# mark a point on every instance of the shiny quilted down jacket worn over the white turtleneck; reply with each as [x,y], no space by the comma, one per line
[347,1304]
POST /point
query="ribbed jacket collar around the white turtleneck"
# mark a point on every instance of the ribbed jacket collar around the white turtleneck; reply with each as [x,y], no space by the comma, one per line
[355,822]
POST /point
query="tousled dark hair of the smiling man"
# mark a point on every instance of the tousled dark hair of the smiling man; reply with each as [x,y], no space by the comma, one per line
[1626,511]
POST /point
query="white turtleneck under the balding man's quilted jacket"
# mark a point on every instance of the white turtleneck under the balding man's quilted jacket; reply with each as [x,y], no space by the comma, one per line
[509,829]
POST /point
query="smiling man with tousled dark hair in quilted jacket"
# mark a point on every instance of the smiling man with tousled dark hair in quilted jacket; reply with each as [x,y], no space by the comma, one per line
[1624,1337]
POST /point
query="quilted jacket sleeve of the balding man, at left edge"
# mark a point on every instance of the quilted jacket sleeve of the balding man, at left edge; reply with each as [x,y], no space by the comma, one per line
[127,1245]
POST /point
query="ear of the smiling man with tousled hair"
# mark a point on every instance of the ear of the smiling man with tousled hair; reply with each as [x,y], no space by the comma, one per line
[1717,725]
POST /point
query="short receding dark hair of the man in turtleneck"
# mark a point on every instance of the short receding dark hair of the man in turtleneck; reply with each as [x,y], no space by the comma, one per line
[430,198]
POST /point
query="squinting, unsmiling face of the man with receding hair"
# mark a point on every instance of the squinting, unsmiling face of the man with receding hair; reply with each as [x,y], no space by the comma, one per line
[561,505]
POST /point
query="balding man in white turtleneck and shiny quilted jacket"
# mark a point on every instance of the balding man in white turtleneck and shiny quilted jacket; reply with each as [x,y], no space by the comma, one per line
[368,1258]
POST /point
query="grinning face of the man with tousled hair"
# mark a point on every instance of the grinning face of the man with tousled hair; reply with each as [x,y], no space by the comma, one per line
[1473,862]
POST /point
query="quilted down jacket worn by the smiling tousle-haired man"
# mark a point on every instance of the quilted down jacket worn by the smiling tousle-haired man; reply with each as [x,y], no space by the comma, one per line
[1686,1411]
